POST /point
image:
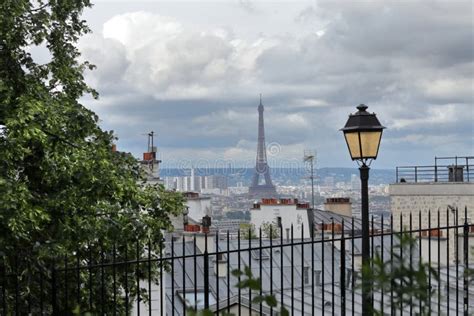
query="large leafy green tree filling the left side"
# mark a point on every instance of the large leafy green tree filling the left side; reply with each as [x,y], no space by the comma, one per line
[65,196]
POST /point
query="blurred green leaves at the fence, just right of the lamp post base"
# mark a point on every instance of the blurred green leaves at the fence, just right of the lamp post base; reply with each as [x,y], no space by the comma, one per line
[408,281]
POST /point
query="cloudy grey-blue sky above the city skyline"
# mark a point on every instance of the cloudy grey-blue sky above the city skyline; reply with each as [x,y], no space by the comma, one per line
[193,71]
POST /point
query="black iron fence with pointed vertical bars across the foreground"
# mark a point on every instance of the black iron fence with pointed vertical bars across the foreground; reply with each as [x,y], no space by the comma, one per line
[308,276]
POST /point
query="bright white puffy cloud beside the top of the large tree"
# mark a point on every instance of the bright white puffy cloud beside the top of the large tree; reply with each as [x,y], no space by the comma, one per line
[169,61]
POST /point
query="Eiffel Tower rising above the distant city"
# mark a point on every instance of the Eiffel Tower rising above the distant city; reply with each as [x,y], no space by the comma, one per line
[266,190]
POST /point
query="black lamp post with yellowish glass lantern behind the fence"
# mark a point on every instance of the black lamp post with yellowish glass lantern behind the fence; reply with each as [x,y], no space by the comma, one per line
[363,133]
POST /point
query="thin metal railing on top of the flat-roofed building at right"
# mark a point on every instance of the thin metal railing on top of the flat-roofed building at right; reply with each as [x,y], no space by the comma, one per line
[445,169]
